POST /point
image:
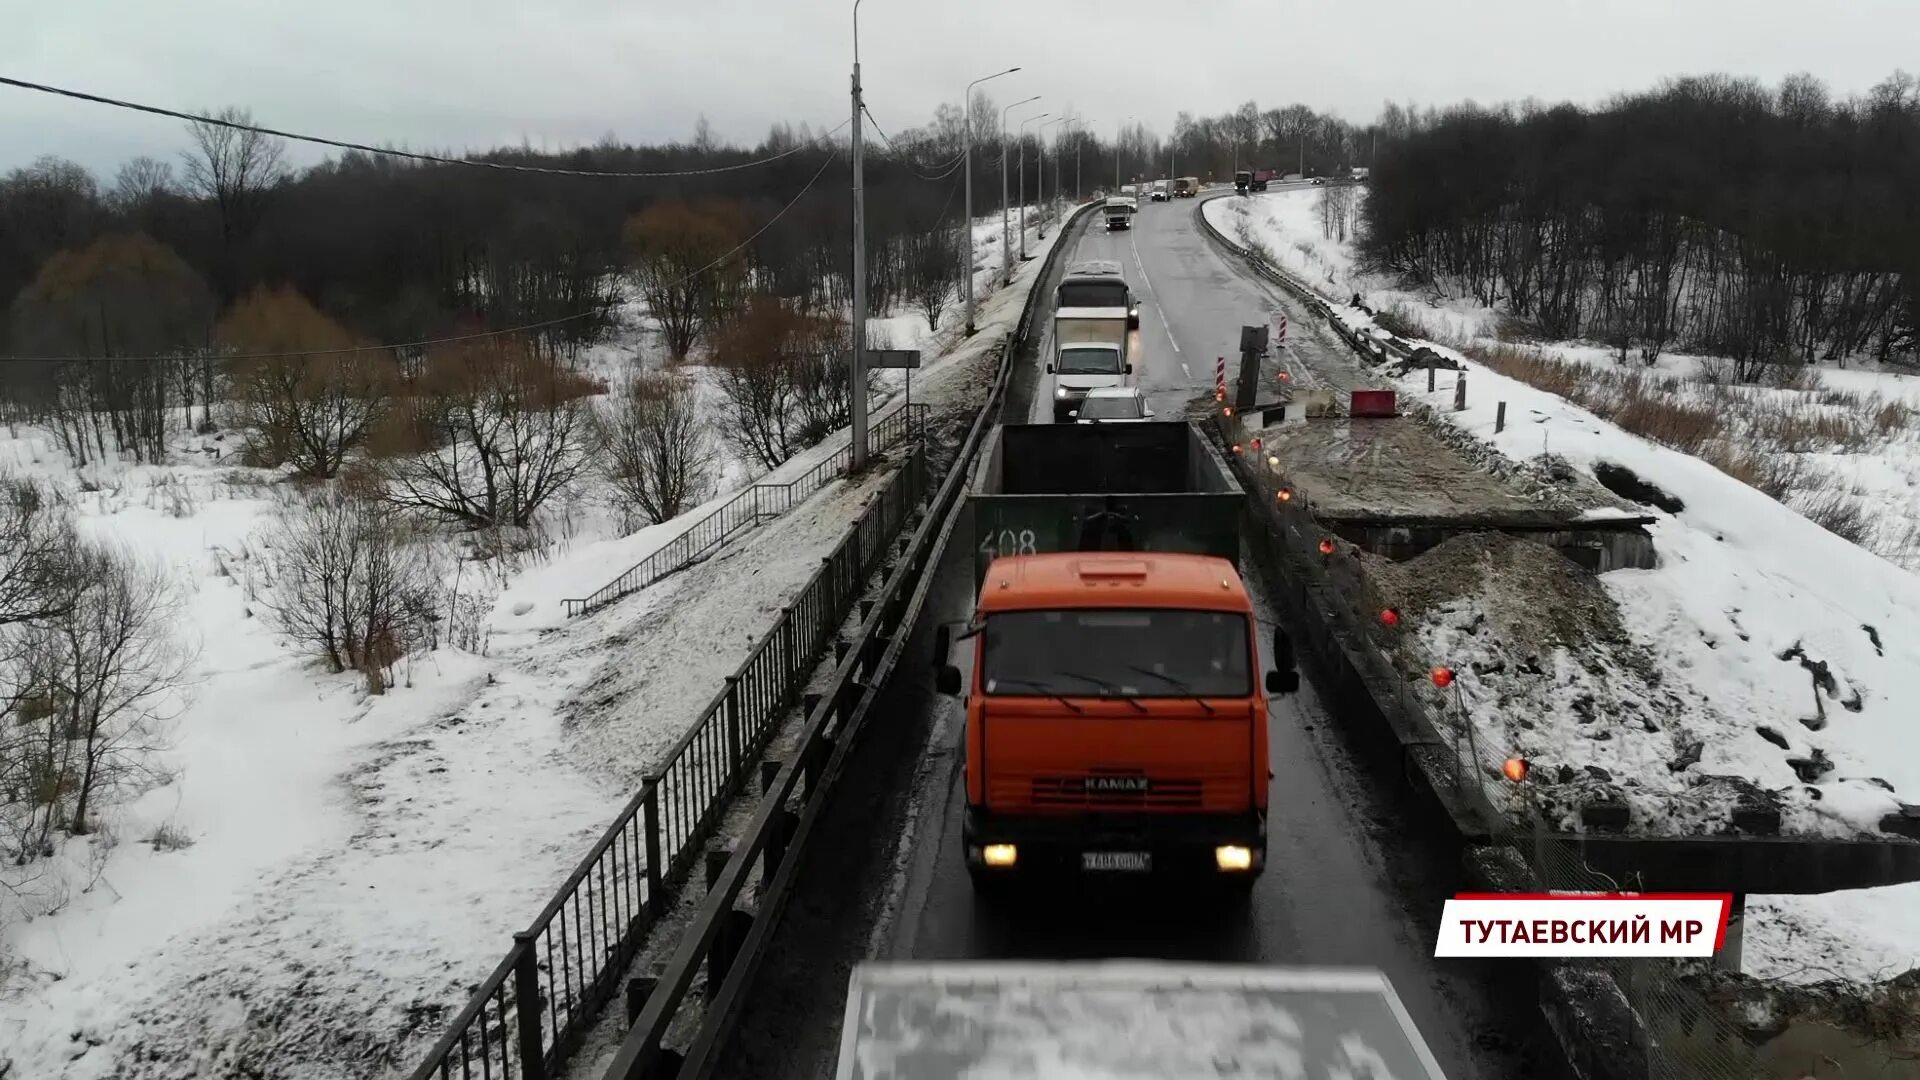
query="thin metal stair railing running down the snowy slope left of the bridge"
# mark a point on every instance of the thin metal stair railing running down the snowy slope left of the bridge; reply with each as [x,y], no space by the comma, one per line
[744,512]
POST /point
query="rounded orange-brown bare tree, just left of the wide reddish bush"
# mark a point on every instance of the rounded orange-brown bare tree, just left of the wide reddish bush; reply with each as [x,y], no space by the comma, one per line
[300,399]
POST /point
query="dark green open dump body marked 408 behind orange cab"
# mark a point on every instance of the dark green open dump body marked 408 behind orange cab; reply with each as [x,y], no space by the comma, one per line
[1143,487]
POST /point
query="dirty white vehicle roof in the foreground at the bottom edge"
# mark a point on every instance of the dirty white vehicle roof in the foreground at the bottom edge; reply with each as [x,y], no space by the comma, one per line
[1126,1021]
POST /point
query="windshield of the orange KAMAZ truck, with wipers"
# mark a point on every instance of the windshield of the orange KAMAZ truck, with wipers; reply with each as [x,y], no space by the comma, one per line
[1147,652]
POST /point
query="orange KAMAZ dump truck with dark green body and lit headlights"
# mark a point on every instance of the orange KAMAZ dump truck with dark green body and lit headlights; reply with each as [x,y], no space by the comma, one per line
[1115,722]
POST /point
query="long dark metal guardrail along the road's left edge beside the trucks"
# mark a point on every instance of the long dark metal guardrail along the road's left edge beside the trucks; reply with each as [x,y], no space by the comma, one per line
[727,941]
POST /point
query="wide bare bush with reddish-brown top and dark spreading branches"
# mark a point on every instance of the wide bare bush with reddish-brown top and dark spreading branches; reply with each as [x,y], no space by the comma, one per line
[492,431]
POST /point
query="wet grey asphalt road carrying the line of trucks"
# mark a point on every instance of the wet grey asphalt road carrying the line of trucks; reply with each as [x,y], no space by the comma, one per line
[1355,877]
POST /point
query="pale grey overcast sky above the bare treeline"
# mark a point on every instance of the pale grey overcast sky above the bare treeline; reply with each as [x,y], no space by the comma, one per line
[473,74]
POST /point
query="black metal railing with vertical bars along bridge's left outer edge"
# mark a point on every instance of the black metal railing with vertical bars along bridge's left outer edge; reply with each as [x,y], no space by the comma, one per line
[571,960]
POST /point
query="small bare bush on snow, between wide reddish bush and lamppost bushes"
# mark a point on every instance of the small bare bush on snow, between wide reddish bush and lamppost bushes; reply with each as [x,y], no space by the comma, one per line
[658,449]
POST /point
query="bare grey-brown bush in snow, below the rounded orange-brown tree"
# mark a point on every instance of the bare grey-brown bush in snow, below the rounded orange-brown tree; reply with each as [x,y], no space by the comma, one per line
[348,583]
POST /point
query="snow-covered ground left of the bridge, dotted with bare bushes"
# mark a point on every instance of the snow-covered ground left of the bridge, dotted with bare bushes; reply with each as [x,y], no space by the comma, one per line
[314,877]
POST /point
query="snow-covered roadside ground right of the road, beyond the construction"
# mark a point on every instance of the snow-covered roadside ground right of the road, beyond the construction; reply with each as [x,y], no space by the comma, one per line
[1785,654]
